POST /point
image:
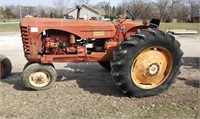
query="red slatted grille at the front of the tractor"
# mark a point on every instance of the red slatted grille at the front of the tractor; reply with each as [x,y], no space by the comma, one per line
[25,40]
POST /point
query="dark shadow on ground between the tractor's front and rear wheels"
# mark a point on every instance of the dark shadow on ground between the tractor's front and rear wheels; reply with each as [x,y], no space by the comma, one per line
[90,77]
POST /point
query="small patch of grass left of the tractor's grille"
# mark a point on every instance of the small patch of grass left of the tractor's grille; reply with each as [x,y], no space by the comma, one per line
[9,27]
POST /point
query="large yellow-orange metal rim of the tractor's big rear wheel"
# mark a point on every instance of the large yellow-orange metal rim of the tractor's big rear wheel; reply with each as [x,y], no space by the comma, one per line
[151,67]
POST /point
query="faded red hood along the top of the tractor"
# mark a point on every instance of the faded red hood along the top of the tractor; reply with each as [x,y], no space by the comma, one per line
[81,28]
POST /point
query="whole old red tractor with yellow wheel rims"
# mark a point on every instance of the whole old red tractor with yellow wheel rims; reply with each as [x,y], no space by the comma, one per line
[142,59]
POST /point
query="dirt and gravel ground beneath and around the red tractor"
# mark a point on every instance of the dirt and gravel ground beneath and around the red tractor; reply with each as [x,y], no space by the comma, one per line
[85,90]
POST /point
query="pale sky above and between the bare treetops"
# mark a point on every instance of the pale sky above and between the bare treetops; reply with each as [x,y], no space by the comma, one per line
[49,2]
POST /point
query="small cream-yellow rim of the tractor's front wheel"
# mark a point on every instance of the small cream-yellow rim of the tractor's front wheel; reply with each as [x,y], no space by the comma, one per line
[39,79]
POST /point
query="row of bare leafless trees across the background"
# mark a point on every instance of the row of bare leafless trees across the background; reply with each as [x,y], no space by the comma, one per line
[166,10]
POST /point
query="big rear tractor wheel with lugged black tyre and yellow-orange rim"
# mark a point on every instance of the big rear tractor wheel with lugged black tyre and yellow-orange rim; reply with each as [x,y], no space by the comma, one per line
[146,63]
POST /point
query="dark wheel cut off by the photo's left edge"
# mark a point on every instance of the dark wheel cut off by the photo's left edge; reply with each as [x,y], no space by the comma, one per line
[6,66]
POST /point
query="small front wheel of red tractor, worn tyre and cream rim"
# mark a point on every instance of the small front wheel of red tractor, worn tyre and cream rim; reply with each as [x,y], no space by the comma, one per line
[38,76]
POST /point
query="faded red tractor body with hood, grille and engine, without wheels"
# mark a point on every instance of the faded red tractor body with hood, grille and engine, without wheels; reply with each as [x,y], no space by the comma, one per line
[32,30]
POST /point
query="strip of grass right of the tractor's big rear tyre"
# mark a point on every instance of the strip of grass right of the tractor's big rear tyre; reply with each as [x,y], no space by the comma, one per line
[187,26]
